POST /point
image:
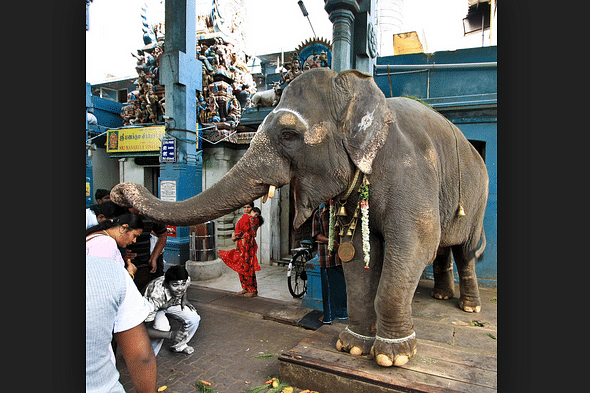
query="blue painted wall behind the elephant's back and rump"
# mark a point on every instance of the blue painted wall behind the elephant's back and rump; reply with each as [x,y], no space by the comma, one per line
[468,98]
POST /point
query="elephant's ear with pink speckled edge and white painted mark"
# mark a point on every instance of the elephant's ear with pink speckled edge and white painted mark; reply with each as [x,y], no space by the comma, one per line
[364,116]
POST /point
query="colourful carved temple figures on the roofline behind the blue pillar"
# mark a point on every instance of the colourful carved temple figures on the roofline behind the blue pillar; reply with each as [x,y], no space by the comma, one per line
[229,89]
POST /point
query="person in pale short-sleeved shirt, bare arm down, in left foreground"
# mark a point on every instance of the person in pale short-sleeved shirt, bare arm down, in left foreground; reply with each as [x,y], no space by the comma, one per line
[115,308]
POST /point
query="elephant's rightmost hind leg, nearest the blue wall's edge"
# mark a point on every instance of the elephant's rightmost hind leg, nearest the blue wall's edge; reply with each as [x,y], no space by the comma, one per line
[469,300]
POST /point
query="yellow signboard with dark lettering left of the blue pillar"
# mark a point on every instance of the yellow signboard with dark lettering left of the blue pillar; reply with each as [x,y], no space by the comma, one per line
[126,140]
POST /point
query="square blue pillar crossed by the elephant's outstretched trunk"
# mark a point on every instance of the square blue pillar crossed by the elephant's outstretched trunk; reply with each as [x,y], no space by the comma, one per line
[180,72]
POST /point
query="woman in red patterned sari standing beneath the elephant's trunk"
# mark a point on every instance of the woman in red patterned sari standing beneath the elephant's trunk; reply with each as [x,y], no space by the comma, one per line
[243,259]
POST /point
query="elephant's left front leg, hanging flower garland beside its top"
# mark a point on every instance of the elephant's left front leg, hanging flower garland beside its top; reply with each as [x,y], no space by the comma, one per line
[361,286]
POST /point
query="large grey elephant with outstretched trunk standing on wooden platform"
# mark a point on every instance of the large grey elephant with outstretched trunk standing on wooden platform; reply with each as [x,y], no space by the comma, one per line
[428,190]
